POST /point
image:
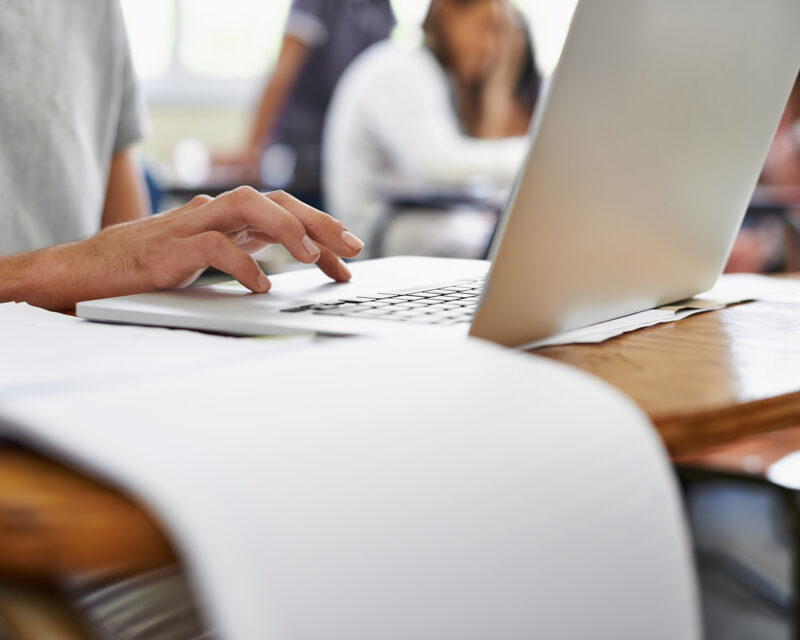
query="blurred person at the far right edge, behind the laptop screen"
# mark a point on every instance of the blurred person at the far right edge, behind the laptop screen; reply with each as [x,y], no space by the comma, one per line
[770,240]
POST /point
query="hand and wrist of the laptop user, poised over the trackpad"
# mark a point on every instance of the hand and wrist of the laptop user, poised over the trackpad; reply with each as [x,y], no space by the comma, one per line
[171,249]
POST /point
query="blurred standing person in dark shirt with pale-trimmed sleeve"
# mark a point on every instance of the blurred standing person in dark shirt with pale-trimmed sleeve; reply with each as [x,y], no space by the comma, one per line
[322,37]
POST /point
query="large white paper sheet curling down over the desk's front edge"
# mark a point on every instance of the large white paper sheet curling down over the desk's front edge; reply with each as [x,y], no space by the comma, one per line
[364,490]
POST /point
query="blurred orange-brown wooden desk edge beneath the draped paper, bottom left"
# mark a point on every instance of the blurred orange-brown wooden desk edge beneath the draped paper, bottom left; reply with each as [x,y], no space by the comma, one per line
[56,523]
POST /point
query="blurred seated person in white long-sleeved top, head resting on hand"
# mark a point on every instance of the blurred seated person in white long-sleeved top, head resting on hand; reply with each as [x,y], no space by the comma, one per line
[450,113]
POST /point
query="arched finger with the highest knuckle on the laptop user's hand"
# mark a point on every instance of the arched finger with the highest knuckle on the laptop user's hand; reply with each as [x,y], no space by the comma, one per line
[245,207]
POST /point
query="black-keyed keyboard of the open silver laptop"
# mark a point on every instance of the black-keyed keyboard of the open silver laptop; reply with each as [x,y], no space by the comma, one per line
[445,305]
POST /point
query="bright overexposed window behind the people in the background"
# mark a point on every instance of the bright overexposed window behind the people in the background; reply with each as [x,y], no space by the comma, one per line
[202,51]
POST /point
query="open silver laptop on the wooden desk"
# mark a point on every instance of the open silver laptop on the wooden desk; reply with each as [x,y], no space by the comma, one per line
[645,151]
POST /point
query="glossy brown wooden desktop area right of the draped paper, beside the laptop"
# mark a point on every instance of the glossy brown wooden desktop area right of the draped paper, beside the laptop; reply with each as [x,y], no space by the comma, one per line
[708,379]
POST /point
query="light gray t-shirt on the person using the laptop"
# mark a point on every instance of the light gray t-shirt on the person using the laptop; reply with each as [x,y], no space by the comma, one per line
[68,101]
